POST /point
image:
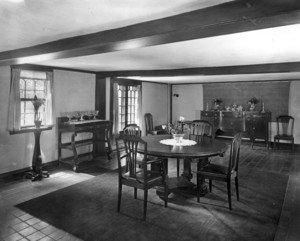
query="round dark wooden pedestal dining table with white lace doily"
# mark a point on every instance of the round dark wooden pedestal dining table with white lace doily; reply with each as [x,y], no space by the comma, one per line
[168,148]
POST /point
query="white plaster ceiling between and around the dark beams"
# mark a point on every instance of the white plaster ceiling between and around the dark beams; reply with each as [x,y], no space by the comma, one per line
[30,22]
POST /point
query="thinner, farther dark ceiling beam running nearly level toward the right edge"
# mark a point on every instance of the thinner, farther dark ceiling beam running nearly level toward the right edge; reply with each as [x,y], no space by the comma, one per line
[226,70]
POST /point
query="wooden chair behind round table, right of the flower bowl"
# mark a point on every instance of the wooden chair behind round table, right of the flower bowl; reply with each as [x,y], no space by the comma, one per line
[200,131]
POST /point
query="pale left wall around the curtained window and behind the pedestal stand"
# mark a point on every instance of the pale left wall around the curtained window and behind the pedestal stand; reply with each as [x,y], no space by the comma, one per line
[70,94]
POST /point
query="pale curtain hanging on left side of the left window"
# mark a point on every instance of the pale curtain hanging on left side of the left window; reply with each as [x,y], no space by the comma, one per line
[14,109]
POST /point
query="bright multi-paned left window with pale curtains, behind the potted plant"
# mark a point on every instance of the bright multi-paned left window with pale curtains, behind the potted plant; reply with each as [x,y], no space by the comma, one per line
[26,85]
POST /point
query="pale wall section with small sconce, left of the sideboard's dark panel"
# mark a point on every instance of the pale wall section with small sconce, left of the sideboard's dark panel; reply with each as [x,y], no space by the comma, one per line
[189,103]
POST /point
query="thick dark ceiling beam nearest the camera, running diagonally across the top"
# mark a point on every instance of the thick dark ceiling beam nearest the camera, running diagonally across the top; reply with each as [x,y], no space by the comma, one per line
[227,18]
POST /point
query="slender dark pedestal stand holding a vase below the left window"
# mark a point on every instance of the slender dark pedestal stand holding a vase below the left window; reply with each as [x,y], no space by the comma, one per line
[36,173]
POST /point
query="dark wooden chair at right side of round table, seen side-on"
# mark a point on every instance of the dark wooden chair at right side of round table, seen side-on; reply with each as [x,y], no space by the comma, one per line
[222,172]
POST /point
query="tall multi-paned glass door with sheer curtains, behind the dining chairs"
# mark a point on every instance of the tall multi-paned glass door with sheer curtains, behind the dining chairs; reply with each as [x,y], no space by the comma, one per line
[127,104]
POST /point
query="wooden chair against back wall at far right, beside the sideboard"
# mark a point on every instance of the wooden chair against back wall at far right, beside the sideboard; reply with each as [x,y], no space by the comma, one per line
[285,129]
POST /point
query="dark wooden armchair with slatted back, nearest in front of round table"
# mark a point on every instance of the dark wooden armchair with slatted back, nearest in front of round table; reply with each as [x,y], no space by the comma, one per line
[142,178]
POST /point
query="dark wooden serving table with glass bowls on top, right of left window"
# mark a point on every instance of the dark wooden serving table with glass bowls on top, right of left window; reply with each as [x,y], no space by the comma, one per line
[100,130]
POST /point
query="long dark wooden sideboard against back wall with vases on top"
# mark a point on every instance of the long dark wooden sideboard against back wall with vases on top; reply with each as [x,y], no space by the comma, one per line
[253,124]
